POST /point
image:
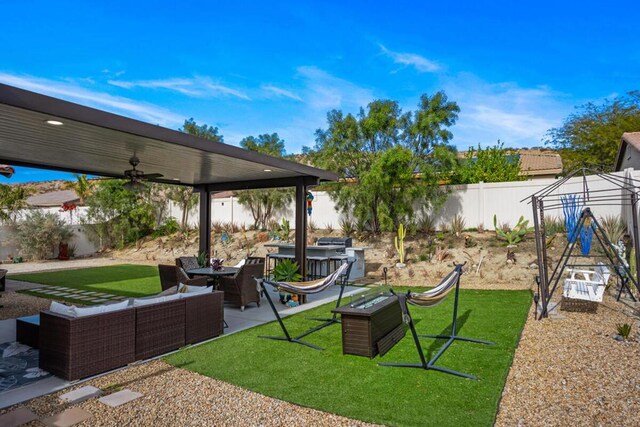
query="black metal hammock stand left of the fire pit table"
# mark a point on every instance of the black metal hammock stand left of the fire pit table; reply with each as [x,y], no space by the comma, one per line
[341,274]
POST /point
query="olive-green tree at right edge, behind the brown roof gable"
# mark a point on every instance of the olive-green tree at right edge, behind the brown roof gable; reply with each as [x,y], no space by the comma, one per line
[591,136]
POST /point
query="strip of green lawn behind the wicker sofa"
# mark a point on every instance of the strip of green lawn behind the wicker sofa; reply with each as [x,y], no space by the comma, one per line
[127,280]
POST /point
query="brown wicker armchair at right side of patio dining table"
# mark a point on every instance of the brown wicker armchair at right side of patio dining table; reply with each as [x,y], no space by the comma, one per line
[241,288]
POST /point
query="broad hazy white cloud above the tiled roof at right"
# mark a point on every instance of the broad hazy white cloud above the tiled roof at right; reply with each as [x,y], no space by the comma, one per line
[518,116]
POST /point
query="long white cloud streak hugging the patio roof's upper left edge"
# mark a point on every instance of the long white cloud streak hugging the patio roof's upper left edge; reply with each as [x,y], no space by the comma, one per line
[75,93]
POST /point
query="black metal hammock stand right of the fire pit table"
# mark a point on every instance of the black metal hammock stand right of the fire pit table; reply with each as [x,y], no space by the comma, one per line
[430,364]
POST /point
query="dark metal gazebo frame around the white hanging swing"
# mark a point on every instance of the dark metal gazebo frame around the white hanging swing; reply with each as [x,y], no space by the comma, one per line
[624,192]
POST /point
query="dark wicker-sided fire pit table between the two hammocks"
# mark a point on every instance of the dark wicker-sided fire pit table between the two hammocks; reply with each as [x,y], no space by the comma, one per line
[371,325]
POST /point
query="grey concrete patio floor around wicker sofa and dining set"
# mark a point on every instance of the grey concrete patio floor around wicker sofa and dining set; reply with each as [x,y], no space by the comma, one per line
[236,320]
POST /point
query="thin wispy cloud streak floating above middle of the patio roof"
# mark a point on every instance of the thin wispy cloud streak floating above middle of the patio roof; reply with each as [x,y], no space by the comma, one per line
[195,87]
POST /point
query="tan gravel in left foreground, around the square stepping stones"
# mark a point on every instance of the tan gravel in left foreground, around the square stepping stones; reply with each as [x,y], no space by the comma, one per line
[173,396]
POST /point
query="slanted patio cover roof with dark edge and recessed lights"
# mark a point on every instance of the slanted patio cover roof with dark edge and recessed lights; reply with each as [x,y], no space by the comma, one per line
[96,142]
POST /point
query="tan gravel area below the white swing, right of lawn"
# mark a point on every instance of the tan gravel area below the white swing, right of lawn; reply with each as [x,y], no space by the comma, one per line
[570,371]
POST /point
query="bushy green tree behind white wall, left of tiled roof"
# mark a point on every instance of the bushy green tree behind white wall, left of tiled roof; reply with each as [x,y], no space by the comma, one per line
[492,164]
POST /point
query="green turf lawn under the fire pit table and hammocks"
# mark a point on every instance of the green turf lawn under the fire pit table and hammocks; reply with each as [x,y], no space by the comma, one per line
[357,387]
